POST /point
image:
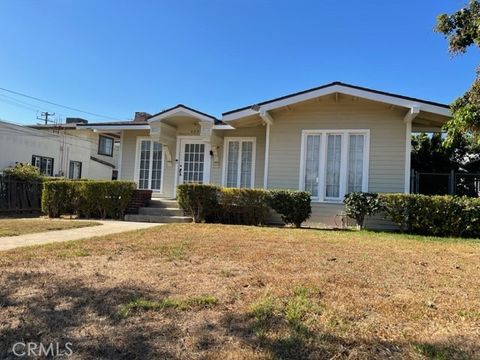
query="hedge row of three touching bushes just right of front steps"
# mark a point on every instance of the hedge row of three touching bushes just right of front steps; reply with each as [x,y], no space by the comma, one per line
[242,206]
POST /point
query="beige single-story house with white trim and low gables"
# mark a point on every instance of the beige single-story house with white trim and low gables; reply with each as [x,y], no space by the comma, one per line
[328,140]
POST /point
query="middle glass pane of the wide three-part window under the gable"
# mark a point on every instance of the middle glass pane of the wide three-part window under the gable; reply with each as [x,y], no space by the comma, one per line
[332,178]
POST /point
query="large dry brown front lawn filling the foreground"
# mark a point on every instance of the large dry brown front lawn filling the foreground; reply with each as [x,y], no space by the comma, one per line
[196,291]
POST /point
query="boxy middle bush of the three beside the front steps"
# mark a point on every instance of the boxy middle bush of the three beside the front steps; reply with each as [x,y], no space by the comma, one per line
[243,206]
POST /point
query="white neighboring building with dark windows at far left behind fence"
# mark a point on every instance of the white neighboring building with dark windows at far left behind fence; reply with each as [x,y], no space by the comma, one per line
[57,150]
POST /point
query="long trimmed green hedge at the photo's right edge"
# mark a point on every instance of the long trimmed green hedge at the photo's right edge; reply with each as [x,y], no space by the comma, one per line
[434,215]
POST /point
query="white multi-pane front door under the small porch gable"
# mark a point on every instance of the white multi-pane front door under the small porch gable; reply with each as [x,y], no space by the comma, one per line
[194,162]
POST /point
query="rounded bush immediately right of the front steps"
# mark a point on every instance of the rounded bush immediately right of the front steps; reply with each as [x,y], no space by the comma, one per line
[199,201]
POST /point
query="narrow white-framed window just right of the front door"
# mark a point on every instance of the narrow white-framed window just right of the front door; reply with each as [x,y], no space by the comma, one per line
[239,162]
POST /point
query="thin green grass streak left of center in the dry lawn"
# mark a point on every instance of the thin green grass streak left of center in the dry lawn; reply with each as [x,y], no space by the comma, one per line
[204,301]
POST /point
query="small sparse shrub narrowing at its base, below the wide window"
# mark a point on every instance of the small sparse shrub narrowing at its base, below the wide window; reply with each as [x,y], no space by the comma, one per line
[359,205]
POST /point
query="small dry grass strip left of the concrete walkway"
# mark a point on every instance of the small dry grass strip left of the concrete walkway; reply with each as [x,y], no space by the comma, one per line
[14,227]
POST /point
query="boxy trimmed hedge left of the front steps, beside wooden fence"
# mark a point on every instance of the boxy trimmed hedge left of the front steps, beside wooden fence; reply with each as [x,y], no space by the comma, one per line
[91,199]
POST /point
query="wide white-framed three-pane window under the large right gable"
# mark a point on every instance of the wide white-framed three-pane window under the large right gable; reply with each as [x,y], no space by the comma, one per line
[334,163]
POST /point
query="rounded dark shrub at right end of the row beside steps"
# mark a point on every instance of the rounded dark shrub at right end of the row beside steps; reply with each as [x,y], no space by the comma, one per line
[293,206]
